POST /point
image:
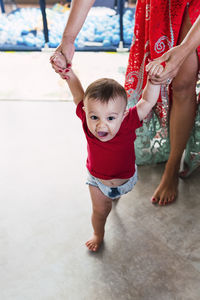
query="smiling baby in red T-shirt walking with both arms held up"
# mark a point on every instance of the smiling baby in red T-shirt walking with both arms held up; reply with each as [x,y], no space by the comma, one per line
[109,128]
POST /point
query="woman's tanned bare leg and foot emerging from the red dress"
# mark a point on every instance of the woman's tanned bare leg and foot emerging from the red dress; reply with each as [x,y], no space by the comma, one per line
[182,116]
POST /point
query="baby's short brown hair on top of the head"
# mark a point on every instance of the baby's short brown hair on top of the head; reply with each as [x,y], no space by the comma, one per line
[105,89]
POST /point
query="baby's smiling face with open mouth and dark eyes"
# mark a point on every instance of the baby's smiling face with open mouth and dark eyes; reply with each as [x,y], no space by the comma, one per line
[104,119]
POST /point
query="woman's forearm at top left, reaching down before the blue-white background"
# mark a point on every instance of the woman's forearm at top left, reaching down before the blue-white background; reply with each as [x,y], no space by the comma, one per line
[78,13]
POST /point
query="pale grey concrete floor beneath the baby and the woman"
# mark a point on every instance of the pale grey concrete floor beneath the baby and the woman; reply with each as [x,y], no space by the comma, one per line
[149,253]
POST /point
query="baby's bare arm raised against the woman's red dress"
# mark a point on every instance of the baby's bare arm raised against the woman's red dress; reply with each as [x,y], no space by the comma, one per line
[149,98]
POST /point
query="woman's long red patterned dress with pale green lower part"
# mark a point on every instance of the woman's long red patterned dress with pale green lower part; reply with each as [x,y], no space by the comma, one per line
[157,27]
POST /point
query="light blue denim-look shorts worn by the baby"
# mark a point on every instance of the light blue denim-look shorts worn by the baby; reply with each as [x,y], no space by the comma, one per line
[115,192]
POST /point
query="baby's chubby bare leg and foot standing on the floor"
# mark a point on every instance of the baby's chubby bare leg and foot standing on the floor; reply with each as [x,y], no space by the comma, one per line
[101,208]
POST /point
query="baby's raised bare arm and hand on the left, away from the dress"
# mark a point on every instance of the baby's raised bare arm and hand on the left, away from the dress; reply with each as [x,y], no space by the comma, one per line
[71,78]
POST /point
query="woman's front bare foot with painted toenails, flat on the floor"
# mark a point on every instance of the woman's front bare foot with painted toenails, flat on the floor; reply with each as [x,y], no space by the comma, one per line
[167,190]
